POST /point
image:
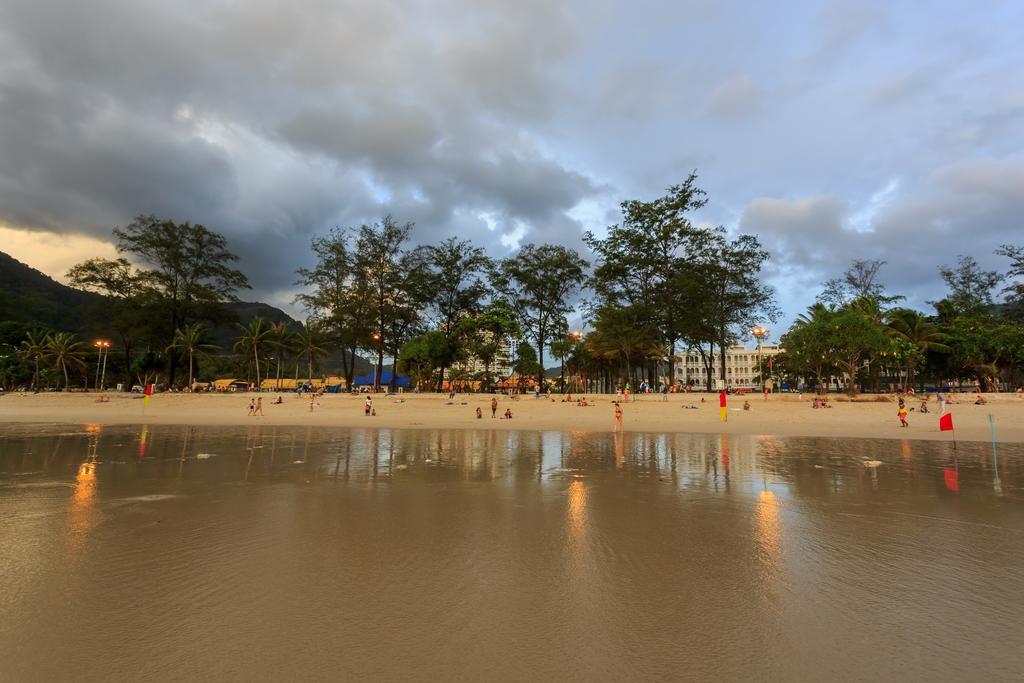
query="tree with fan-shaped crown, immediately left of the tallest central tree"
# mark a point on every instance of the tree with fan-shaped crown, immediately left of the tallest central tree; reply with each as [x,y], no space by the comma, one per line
[538,282]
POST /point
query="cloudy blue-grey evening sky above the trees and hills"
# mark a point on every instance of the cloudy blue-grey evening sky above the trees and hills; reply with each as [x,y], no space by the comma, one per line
[834,131]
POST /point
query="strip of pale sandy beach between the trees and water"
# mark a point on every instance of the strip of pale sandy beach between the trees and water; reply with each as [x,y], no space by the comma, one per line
[782,415]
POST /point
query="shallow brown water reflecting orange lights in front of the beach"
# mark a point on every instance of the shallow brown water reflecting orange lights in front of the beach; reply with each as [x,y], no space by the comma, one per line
[246,553]
